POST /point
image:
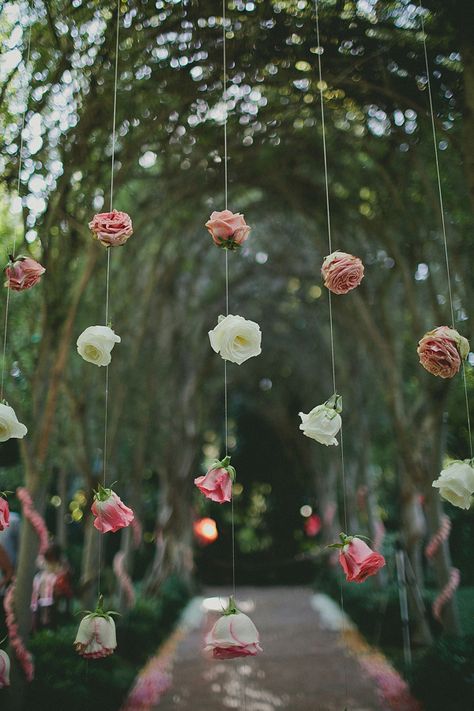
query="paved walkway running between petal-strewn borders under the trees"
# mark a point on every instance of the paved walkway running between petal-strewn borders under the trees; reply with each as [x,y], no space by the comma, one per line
[303,666]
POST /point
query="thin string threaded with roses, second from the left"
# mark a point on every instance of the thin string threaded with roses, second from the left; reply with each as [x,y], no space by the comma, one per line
[107,279]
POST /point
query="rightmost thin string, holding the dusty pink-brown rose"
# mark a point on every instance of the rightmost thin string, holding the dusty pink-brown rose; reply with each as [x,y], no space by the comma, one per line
[442,215]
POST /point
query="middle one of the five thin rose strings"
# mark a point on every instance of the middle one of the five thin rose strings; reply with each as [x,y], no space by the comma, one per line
[226,183]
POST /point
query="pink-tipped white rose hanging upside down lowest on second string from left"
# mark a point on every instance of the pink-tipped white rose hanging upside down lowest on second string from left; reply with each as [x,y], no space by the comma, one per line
[96,638]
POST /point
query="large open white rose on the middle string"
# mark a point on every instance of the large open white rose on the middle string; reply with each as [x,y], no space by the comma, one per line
[236,338]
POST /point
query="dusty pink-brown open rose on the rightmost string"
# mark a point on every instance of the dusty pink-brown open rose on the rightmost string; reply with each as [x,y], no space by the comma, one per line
[442,350]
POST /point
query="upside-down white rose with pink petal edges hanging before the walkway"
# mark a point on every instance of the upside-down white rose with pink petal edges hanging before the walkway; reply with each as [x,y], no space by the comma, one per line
[233,635]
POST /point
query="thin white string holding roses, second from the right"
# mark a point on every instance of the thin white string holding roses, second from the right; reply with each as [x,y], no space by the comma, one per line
[321,85]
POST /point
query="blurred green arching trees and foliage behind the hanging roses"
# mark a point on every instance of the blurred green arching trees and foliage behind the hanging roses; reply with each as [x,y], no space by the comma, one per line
[167,290]
